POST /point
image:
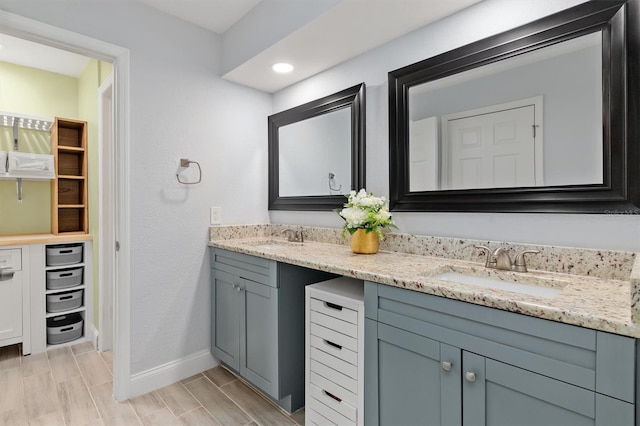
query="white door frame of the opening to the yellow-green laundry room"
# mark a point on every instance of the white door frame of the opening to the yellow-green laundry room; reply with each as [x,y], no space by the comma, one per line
[39,32]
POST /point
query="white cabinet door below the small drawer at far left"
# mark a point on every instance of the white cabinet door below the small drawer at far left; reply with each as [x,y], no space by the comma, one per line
[11,307]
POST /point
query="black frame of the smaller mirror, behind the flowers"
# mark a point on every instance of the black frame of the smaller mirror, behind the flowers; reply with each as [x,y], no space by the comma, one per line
[353,97]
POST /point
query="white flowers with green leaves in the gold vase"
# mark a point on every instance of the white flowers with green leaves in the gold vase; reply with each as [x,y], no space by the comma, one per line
[364,211]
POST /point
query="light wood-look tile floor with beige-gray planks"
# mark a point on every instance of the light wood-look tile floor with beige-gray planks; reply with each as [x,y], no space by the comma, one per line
[73,385]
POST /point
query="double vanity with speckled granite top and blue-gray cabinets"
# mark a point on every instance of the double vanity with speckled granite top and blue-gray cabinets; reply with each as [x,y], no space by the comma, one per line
[448,340]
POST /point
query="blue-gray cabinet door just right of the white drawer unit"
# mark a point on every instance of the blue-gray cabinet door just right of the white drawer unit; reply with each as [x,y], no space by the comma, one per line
[407,381]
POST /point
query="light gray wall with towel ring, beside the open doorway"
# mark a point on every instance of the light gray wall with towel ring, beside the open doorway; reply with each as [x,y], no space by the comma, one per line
[179,107]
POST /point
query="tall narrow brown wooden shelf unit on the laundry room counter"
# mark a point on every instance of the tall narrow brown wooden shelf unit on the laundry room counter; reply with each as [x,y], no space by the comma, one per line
[69,196]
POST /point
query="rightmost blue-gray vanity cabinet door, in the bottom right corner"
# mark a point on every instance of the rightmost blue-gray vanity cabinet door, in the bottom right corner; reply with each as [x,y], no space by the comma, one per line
[495,393]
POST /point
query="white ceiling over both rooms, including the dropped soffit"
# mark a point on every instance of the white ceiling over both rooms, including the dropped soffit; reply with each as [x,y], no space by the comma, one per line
[311,44]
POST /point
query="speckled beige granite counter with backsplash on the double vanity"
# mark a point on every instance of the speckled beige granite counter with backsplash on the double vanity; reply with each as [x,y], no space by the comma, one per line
[599,297]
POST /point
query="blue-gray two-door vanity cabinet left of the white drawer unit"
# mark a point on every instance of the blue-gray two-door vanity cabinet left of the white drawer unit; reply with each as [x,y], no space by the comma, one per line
[257,322]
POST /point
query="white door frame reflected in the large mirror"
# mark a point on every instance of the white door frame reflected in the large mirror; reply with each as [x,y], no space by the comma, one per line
[535,101]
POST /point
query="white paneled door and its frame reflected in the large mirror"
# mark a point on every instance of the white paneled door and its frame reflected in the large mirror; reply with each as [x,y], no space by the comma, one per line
[498,146]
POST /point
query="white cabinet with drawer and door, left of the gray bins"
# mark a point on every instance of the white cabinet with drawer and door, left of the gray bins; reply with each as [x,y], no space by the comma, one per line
[14,299]
